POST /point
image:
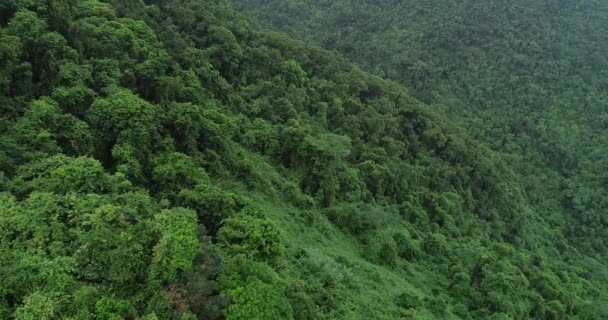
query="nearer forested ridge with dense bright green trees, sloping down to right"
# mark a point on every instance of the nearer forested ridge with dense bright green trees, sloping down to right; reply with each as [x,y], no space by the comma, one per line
[169,160]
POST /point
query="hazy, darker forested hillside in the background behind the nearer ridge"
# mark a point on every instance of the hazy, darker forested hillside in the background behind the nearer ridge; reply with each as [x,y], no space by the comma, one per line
[525,77]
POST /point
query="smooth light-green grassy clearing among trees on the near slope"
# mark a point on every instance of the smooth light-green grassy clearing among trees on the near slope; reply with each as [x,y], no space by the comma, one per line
[368,290]
